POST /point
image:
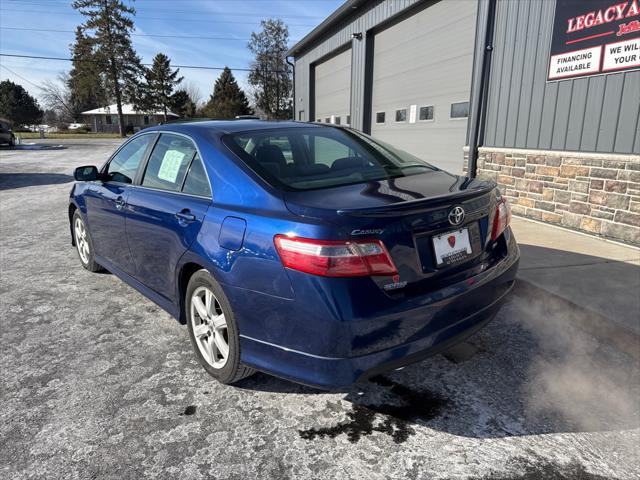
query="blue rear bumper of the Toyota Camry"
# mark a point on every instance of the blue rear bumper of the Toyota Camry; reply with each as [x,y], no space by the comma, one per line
[457,314]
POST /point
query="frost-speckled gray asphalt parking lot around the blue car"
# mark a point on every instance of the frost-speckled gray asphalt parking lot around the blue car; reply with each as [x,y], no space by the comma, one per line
[98,382]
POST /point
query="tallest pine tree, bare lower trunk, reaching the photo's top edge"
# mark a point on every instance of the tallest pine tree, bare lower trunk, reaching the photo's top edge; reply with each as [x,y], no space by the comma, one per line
[110,23]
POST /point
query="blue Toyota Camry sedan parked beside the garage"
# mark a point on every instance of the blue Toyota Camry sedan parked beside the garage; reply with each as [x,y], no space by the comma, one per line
[312,252]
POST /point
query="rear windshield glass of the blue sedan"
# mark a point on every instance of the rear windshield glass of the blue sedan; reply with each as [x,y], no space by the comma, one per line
[315,158]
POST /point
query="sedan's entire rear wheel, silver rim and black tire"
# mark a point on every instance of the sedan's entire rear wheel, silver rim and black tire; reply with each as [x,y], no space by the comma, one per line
[213,330]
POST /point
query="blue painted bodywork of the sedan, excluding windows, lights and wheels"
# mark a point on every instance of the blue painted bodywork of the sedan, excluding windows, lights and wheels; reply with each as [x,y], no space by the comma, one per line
[320,331]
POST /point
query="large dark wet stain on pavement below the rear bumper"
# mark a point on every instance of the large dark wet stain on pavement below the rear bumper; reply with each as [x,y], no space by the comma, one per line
[408,406]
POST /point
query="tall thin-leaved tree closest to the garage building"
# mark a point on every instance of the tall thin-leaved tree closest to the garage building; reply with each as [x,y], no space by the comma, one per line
[270,73]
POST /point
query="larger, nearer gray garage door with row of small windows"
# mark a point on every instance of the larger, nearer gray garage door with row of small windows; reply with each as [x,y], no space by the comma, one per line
[422,80]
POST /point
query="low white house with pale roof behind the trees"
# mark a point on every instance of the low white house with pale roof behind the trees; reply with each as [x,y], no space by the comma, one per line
[105,119]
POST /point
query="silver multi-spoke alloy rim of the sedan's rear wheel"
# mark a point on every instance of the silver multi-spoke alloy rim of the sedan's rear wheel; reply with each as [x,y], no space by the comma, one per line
[209,327]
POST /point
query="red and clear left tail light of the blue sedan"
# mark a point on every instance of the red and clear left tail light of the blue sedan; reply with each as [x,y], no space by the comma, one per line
[335,258]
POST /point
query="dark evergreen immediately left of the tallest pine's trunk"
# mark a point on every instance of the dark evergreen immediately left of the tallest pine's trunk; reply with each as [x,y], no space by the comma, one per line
[86,80]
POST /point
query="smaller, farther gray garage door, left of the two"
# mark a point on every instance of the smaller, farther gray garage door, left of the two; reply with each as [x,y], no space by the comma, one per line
[333,89]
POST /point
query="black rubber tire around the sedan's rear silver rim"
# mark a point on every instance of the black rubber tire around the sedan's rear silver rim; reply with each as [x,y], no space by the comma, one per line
[232,371]
